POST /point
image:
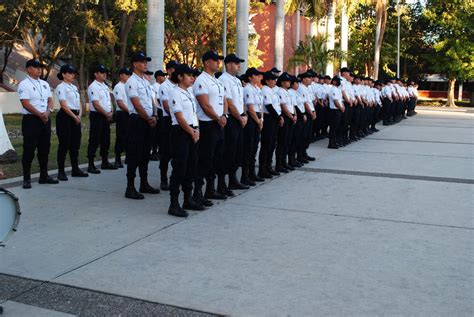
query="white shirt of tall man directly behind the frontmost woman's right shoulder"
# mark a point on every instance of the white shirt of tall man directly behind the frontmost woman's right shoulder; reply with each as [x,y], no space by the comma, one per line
[206,84]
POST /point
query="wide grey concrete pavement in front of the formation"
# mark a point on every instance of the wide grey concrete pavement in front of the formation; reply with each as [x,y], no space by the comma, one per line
[381,227]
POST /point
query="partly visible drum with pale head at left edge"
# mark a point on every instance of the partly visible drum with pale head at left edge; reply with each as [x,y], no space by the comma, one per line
[9,215]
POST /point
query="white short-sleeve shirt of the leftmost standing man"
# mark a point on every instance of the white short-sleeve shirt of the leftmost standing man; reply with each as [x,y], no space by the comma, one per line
[36,91]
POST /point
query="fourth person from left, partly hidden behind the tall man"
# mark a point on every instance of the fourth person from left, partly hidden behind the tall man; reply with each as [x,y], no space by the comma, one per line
[121,115]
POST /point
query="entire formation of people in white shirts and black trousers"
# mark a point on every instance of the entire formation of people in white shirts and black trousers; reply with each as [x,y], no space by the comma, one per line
[208,126]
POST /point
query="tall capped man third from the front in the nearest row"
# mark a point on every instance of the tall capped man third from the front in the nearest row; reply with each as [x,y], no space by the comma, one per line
[236,121]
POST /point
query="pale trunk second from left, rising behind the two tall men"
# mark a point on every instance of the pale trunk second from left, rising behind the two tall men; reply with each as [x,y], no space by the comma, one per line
[242,32]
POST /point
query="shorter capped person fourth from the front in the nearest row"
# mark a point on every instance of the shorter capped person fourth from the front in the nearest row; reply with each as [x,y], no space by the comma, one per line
[253,101]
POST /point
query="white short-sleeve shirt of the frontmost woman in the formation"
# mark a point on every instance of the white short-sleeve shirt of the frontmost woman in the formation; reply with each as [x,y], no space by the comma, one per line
[183,101]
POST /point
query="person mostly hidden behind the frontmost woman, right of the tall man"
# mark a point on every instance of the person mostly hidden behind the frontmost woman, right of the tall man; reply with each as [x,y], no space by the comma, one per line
[165,125]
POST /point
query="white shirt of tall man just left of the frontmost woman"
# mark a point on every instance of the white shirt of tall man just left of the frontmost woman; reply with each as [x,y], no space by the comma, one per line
[137,86]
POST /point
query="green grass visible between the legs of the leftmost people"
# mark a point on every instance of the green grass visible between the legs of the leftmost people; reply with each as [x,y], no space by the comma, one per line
[13,124]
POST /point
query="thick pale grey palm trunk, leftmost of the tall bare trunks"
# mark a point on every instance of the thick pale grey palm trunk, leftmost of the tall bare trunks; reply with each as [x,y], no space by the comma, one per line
[155,33]
